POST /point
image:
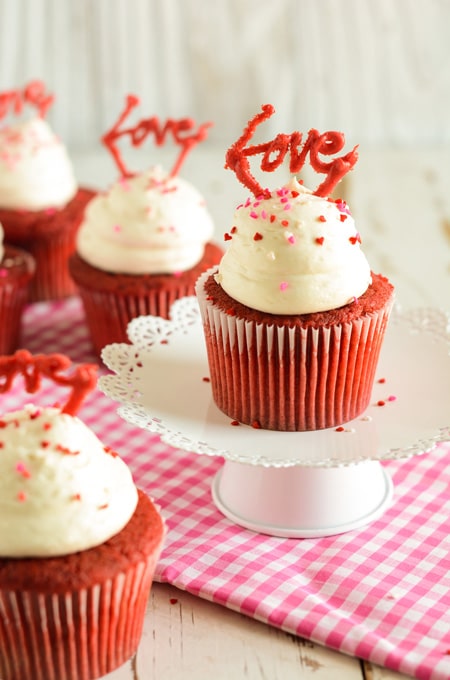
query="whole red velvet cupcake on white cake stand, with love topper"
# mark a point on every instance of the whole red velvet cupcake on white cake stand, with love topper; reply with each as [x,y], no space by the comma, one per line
[293,317]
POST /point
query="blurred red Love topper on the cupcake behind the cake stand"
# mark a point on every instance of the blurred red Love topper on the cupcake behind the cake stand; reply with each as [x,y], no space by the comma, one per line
[138,134]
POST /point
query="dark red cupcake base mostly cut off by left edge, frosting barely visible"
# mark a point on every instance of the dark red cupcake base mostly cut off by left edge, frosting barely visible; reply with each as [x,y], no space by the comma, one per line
[16,271]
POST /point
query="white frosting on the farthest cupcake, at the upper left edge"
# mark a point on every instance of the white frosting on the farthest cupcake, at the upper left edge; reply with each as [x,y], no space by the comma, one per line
[35,169]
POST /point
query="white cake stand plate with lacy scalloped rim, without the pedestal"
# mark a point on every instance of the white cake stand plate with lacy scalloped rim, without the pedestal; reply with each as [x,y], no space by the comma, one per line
[160,382]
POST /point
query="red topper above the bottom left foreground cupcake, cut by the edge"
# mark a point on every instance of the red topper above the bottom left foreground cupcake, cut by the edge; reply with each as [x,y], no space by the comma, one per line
[82,380]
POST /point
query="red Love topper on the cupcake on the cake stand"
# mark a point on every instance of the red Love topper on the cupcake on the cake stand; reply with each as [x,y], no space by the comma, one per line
[275,151]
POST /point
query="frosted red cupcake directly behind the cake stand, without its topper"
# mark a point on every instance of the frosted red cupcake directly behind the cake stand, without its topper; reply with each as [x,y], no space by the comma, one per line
[141,246]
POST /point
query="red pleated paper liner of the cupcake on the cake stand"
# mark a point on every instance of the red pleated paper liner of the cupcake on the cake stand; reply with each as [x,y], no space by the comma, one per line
[291,378]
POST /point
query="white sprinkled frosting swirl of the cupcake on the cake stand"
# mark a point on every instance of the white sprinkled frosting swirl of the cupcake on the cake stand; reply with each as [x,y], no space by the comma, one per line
[294,253]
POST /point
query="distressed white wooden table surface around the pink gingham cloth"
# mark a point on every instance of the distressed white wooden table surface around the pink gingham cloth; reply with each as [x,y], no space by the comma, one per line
[401,201]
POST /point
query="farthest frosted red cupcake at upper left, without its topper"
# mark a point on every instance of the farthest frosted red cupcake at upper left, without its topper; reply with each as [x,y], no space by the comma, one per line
[41,204]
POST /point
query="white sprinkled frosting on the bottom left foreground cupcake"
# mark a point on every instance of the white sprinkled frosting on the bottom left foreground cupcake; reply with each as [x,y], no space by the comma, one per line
[61,490]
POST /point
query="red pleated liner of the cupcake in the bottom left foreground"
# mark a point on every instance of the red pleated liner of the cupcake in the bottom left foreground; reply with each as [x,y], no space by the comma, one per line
[78,635]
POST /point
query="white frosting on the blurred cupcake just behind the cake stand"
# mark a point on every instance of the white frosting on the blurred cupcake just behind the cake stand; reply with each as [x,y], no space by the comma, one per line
[148,224]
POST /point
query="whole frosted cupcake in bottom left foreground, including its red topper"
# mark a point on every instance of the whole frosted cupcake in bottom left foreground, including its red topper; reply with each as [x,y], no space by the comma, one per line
[78,542]
